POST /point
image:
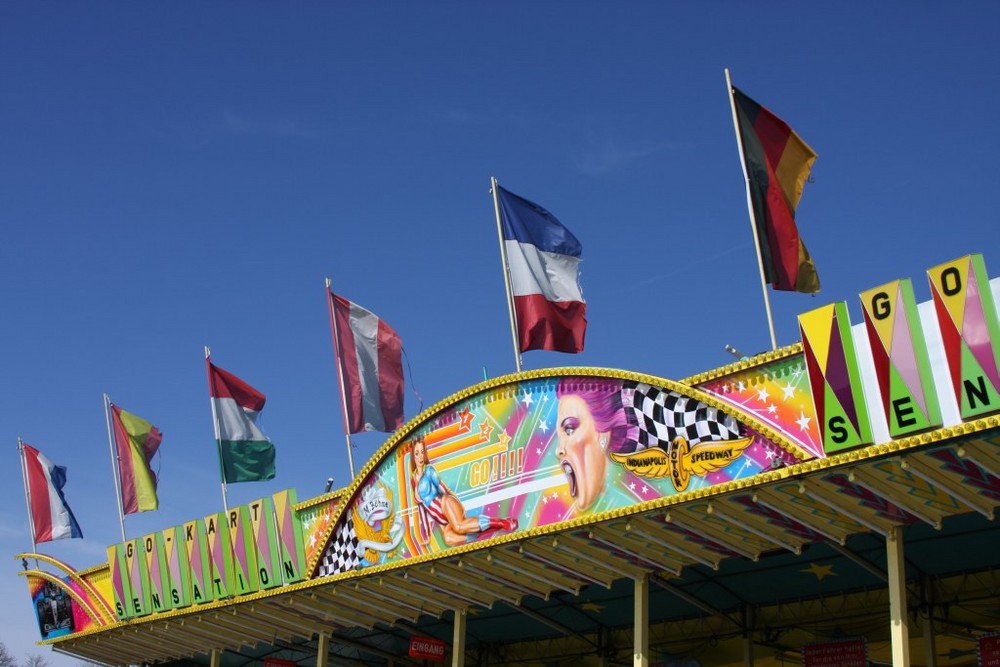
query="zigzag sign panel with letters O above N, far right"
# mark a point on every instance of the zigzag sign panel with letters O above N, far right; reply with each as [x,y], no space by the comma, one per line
[967,319]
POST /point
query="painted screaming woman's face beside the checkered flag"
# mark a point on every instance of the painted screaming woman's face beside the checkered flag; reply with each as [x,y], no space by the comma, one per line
[579,450]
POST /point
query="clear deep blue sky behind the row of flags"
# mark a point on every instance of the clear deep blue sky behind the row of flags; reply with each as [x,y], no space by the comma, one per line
[177,175]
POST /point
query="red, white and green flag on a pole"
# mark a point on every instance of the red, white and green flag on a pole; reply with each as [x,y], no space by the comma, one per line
[247,455]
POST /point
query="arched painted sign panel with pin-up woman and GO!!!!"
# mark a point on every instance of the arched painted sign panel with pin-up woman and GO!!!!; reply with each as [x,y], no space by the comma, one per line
[538,449]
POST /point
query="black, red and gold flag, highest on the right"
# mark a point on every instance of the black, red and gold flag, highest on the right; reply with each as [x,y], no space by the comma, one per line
[777,166]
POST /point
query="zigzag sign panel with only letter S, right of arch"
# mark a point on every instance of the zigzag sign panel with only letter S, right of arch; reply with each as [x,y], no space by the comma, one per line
[832,363]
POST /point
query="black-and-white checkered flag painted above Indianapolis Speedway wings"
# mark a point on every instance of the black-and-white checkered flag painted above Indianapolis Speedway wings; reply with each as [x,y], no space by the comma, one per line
[663,415]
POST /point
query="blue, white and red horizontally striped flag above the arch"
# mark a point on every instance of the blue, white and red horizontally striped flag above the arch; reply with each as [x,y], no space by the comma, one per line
[543,258]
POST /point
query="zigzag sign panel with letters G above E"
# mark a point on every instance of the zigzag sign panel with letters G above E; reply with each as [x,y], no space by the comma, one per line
[902,365]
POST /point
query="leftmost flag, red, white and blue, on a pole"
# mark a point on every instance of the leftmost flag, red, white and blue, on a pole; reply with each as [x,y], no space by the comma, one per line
[51,517]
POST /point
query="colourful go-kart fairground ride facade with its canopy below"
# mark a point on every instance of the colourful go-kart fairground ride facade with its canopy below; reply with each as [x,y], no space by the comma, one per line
[827,503]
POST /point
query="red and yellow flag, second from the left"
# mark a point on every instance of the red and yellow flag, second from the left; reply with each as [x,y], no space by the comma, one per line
[136,441]
